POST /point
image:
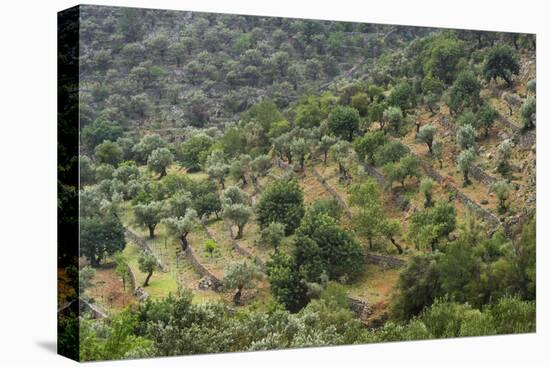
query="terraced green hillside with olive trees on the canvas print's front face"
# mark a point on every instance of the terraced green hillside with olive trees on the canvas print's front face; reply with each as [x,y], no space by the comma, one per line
[264,183]
